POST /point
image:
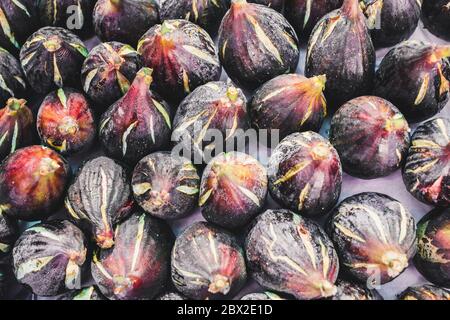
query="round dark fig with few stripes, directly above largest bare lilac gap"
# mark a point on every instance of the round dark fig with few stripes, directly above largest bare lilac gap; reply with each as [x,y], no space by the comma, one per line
[371,137]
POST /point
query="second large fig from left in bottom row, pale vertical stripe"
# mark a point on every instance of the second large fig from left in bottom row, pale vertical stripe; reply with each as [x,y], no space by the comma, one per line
[138,266]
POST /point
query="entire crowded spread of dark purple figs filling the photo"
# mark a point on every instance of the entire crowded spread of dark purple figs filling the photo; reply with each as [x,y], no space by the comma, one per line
[153,85]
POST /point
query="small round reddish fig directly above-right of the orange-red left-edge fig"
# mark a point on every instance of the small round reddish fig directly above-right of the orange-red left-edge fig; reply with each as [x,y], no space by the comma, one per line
[65,121]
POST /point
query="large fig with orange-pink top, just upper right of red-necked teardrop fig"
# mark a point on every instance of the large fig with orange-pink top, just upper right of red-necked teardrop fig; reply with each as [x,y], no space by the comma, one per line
[182,56]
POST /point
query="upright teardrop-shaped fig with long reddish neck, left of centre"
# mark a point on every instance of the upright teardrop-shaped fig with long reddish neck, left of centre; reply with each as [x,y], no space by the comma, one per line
[137,124]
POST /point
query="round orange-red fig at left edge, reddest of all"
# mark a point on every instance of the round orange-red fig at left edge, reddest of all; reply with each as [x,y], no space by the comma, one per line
[32,183]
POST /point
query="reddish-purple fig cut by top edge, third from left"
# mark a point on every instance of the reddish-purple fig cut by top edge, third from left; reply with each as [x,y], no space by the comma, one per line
[124,20]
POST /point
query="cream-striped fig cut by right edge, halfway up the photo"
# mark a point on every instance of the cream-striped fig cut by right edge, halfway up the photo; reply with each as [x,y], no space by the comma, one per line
[426,174]
